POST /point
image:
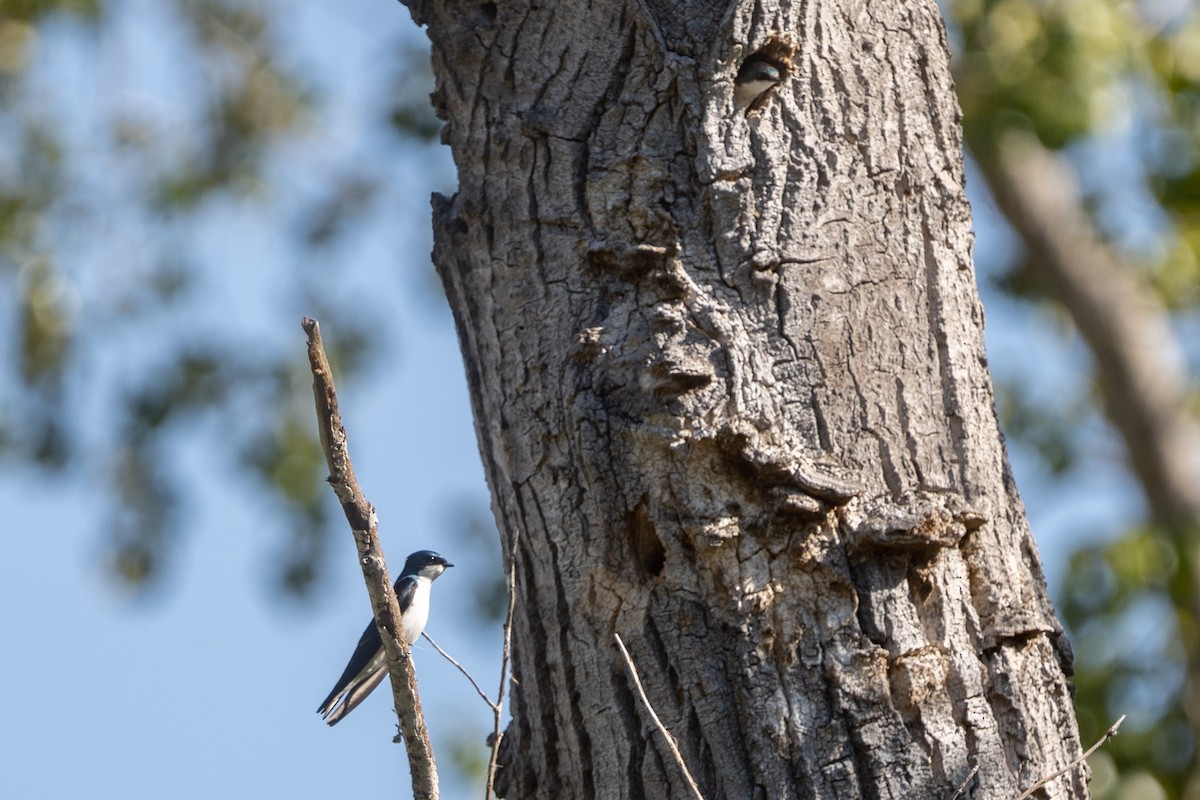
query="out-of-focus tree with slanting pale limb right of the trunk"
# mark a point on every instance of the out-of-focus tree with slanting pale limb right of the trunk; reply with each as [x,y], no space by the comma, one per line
[1084,119]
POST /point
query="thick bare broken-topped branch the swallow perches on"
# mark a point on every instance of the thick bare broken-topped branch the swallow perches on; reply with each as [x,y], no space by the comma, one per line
[364,526]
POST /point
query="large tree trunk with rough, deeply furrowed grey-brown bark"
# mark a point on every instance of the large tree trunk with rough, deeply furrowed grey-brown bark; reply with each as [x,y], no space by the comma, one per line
[731,395]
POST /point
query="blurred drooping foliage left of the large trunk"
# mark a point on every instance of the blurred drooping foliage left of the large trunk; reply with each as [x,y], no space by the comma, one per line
[134,135]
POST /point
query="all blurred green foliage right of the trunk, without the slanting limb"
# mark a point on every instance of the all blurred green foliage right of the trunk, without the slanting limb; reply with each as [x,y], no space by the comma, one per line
[1115,87]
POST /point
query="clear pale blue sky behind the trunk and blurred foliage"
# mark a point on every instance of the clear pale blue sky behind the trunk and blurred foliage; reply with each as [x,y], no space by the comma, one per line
[209,688]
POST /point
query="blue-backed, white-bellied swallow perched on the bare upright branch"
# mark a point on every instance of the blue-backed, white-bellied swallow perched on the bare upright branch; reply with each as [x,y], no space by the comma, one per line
[369,665]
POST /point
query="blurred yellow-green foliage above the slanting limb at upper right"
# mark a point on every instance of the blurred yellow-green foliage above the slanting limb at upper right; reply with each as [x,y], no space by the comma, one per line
[1107,83]
